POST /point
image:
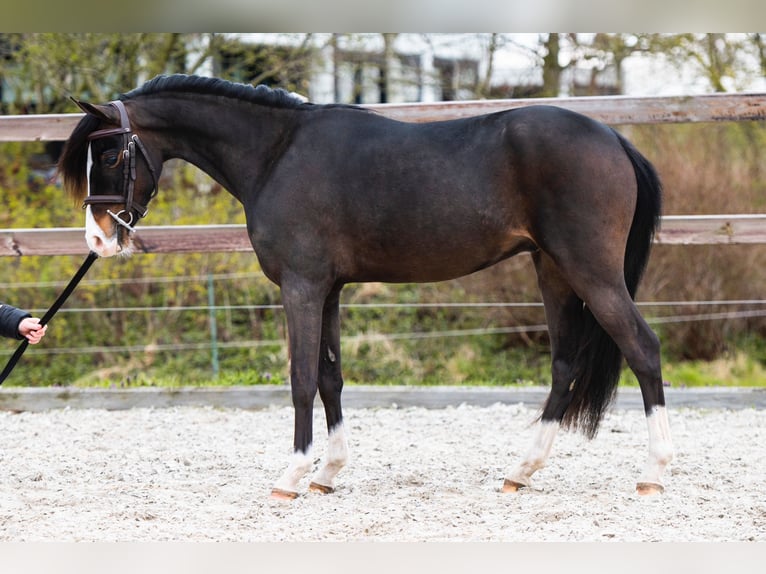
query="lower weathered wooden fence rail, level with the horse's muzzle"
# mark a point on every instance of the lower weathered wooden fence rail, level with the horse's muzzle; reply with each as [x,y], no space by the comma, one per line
[676,230]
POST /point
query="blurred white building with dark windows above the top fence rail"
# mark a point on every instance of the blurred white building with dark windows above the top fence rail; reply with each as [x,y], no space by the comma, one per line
[383,68]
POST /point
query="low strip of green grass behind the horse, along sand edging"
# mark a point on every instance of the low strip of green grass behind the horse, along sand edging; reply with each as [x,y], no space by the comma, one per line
[742,365]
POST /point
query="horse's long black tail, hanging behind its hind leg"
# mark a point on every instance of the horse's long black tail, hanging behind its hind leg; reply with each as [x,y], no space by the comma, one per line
[599,360]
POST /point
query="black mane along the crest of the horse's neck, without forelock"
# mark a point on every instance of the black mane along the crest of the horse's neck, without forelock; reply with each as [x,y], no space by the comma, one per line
[274,97]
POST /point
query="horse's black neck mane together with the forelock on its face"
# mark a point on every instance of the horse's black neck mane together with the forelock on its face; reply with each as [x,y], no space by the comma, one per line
[71,164]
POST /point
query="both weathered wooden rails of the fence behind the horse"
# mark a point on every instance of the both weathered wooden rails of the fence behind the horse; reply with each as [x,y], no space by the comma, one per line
[613,110]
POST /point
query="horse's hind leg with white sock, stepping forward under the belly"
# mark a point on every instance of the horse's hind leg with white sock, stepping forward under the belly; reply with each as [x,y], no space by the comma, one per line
[563,310]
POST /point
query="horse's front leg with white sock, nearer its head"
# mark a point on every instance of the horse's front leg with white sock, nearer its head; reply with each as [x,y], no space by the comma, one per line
[303,307]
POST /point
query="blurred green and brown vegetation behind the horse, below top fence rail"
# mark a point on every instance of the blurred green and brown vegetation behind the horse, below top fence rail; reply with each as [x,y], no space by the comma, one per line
[706,169]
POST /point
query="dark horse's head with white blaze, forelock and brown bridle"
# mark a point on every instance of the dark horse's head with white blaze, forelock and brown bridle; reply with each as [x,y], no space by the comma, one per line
[106,163]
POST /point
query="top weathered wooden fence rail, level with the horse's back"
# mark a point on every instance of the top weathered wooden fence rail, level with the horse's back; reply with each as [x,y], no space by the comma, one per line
[613,110]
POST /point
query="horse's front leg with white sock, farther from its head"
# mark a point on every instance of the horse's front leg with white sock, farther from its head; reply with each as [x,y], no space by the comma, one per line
[330,387]
